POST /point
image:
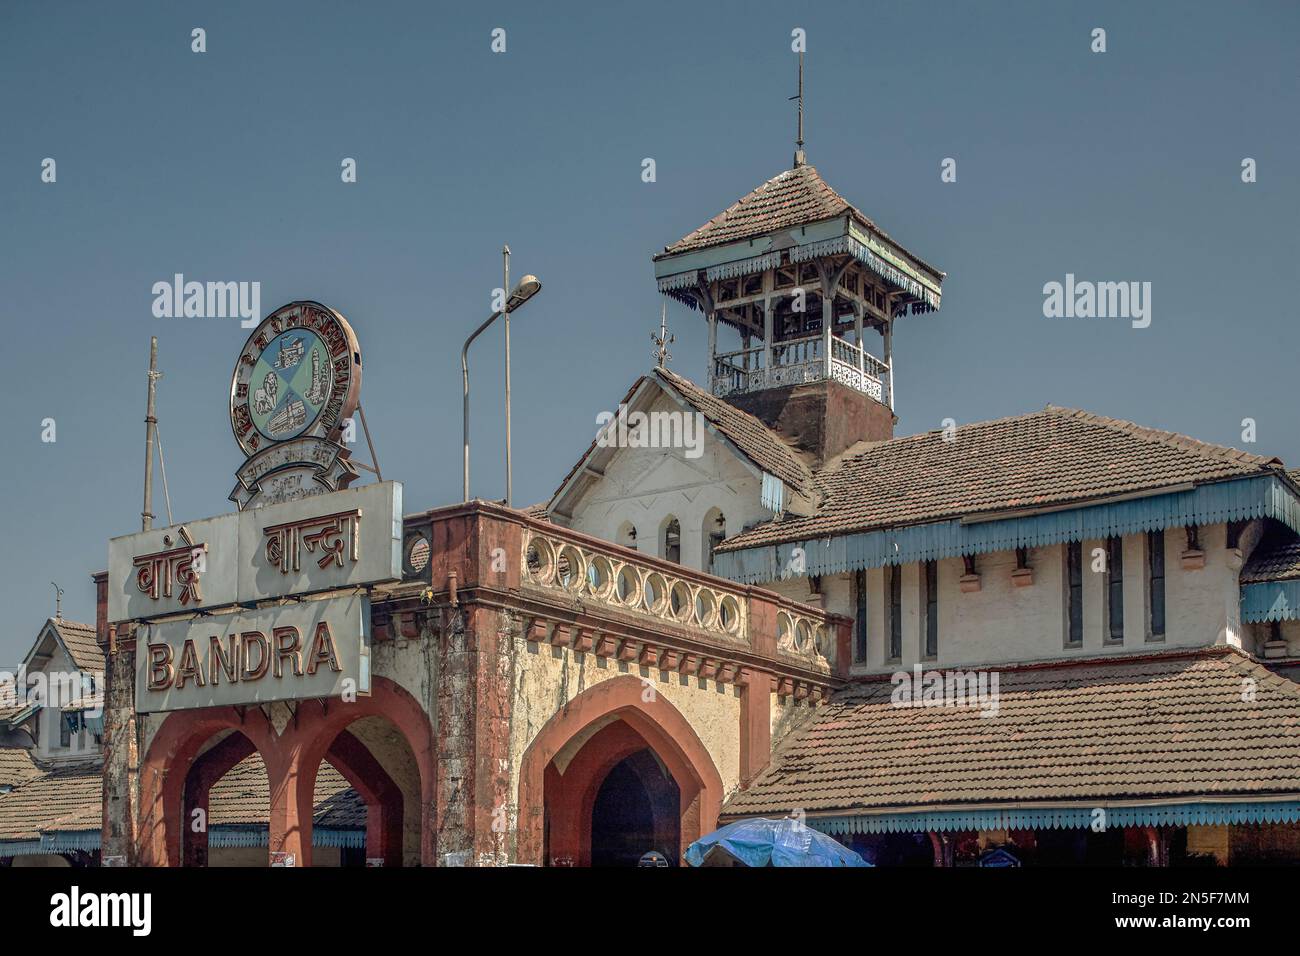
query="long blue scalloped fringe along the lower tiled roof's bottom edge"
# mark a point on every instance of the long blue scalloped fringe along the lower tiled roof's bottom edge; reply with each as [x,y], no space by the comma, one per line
[1064,817]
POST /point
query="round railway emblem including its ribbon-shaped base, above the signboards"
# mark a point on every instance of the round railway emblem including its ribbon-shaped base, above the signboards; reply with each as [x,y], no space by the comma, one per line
[296,384]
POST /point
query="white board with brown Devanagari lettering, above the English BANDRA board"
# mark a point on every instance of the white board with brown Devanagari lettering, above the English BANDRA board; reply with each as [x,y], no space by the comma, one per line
[323,543]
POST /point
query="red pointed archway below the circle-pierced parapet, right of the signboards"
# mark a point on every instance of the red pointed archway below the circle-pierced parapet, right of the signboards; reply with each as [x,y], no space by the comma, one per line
[634,724]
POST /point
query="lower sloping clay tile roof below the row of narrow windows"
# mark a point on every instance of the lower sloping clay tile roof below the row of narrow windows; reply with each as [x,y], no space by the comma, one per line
[1169,726]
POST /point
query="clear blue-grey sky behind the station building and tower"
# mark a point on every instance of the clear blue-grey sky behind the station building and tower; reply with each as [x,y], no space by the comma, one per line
[226,166]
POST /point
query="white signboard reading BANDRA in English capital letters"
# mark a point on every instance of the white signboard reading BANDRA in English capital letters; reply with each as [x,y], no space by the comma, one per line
[317,648]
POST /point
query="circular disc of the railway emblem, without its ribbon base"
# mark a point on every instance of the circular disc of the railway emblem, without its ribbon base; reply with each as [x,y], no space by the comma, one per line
[300,375]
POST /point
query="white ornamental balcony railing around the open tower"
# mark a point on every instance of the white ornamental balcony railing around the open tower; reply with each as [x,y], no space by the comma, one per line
[801,361]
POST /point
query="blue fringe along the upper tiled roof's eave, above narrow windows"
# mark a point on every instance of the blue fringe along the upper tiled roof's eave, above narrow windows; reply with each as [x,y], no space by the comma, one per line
[1214,504]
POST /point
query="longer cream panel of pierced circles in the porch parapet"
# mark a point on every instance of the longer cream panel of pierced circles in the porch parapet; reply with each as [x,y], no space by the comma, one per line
[612,579]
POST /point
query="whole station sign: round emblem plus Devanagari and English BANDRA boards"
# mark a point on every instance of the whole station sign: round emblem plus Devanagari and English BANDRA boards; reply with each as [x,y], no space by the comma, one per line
[209,595]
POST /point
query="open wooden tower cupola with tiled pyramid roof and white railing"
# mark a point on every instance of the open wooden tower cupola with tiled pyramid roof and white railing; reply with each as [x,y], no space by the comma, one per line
[798,278]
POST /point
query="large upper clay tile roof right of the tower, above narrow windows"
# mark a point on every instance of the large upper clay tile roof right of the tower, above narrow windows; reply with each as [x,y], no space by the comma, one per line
[1051,457]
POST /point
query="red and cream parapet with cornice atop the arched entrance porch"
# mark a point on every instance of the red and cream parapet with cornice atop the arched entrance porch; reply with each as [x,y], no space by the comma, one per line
[592,596]
